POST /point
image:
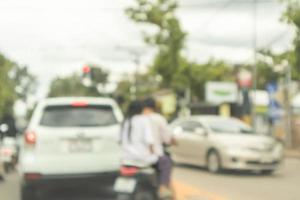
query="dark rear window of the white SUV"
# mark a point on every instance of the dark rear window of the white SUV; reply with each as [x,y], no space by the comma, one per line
[69,116]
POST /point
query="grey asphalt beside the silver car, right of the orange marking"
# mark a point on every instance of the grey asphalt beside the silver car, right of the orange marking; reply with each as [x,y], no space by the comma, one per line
[283,185]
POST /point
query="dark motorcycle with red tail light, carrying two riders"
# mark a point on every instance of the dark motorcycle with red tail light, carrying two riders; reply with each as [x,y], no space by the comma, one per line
[137,183]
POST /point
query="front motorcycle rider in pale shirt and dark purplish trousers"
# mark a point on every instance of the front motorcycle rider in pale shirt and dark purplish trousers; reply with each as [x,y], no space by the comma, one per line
[162,139]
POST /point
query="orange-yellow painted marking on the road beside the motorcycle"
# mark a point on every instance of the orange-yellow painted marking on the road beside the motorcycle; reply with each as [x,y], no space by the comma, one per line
[187,192]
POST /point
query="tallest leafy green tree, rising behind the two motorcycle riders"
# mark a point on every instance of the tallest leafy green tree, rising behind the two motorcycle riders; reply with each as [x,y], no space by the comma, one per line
[169,38]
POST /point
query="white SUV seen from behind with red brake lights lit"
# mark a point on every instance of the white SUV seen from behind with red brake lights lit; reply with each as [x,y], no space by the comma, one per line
[70,141]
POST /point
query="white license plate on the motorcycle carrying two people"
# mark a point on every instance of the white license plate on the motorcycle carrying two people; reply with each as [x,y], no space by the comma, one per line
[125,185]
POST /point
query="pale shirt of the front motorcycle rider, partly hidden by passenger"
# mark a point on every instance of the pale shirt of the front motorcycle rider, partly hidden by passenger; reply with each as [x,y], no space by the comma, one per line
[161,132]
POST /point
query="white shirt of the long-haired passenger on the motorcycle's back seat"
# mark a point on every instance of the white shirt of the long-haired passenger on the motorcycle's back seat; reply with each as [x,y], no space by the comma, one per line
[136,151]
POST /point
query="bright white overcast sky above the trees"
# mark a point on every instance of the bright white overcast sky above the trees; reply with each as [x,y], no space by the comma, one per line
[57,37]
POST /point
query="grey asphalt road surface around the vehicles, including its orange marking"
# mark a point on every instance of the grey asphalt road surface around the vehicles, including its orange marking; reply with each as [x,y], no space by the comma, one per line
[194,183]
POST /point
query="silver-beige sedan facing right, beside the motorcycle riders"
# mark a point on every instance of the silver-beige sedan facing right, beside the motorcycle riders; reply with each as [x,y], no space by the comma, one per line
[224,143]
